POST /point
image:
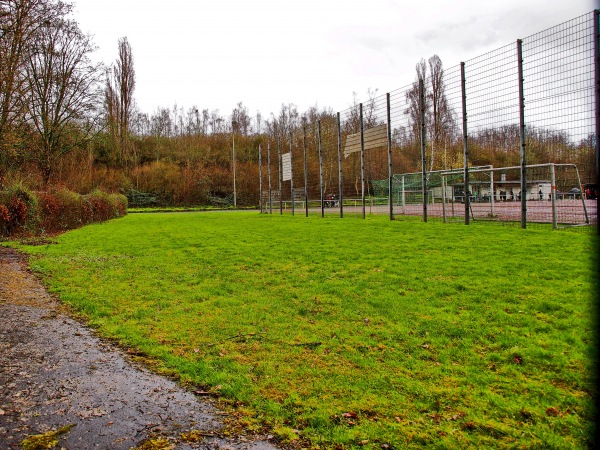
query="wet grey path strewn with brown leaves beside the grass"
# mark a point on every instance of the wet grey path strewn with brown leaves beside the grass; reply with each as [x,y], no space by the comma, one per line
[54,372]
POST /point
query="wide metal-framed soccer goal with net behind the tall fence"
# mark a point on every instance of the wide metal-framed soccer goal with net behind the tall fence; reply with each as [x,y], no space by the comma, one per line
[553,194]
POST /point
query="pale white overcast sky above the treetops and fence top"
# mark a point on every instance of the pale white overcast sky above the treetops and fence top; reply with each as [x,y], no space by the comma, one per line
[214,54]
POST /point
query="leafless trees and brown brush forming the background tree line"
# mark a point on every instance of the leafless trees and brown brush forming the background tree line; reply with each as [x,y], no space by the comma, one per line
[67,121]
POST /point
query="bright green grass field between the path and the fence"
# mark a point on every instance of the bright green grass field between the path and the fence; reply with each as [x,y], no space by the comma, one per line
[342,333]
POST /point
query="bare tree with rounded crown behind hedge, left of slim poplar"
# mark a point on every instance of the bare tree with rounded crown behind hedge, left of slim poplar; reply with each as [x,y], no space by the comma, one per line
[63,94]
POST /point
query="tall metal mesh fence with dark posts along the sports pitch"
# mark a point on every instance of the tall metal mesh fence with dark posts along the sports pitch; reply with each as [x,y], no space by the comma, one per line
[510,135]
